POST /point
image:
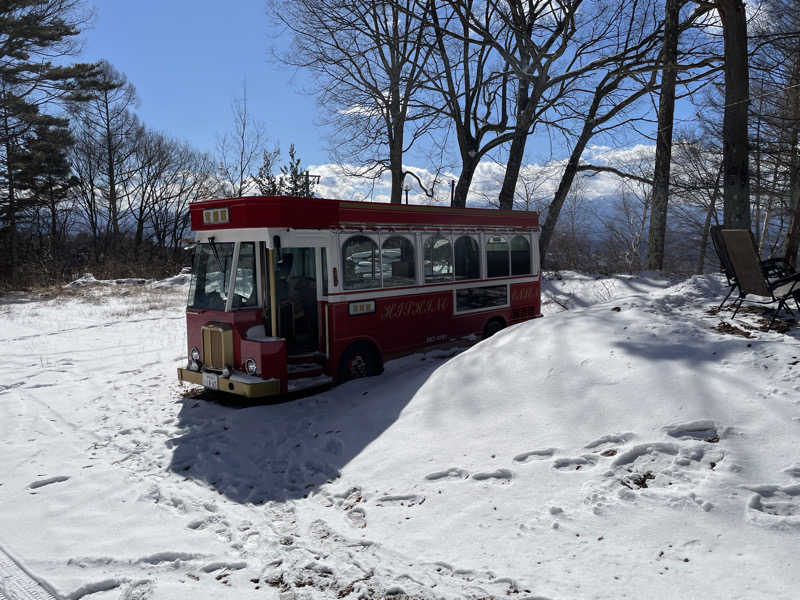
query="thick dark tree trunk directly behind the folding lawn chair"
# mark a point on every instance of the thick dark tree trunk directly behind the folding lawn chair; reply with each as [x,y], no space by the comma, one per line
[736,184]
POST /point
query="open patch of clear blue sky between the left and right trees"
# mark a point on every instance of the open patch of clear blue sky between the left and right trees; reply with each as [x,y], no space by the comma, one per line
[189,58]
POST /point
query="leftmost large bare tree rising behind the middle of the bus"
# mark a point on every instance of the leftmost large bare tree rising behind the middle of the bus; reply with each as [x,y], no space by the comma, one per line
[368,60]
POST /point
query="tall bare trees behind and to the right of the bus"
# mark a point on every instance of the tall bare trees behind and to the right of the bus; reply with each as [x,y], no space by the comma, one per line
[479,79]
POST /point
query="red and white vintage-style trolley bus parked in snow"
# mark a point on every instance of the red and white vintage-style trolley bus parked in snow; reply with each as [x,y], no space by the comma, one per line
[289,293]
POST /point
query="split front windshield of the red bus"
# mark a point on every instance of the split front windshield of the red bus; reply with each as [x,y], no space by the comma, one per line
[211,274]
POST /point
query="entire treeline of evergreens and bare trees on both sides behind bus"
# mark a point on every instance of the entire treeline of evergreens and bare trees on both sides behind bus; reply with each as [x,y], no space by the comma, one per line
[85,185]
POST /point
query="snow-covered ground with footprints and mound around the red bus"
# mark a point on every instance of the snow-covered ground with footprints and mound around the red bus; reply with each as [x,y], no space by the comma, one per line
[627,447]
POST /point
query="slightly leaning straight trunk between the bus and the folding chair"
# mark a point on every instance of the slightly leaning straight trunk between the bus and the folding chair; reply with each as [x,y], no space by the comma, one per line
[666,114]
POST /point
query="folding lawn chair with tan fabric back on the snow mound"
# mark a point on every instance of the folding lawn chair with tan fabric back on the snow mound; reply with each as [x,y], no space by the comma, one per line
[751,278]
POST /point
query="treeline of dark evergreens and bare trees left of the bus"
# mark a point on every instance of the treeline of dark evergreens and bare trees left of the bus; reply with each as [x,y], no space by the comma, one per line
[84,184]
